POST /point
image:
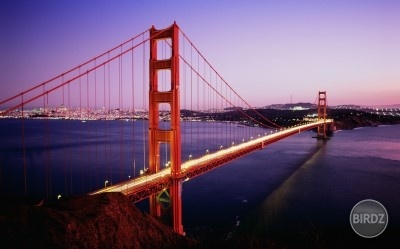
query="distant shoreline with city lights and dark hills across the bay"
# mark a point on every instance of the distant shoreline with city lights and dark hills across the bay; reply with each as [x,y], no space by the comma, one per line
[345,119]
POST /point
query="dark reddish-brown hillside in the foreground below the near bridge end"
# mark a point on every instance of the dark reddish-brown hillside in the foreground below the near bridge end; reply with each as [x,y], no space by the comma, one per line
[99,221]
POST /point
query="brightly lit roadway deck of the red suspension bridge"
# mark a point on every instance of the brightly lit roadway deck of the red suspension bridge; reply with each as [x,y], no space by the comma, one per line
[142,187]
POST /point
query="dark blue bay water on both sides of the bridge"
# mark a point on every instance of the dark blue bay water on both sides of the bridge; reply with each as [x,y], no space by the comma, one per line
[299,189]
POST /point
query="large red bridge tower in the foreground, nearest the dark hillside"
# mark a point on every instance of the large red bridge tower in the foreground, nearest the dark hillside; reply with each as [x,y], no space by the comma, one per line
[172,136]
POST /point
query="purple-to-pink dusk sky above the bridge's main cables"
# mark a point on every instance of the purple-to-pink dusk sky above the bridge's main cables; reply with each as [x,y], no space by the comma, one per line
[268,51]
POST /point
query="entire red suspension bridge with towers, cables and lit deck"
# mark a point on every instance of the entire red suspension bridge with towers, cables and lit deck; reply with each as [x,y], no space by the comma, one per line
[153,77]
